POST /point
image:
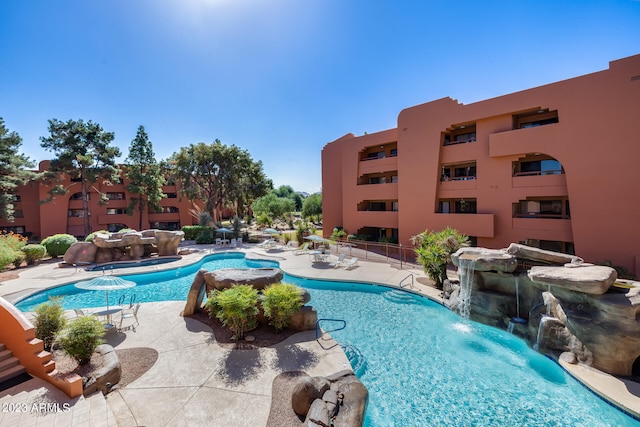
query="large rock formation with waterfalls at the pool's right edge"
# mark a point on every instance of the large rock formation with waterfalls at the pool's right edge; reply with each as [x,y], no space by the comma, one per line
[555,301]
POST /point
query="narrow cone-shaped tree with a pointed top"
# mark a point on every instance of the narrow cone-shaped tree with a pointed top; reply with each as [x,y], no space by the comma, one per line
[145,176]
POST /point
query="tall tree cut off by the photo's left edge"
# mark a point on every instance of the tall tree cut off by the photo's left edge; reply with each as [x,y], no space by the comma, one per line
[12,172]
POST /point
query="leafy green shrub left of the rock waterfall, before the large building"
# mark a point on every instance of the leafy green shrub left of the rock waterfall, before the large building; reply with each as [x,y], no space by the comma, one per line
[434,249]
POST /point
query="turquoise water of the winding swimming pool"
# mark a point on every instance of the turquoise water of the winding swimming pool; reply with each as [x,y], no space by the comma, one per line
[422,364]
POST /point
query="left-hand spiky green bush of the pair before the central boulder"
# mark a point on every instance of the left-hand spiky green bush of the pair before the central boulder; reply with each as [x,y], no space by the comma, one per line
[236,308]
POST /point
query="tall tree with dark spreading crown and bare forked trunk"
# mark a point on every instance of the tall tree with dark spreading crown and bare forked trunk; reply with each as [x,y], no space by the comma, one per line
[84,152]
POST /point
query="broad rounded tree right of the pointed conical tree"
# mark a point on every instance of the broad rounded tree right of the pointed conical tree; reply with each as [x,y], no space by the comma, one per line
[218,175]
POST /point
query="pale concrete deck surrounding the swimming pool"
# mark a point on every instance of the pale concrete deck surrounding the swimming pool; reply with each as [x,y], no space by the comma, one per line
[195,379]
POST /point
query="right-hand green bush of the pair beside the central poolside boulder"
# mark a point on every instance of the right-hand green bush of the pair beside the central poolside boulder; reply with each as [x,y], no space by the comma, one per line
[279,302]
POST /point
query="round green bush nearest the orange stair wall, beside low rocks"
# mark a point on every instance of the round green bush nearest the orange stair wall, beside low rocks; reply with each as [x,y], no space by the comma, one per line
[80,339]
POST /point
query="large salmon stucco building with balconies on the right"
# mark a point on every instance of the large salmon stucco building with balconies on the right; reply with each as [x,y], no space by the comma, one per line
[554,167]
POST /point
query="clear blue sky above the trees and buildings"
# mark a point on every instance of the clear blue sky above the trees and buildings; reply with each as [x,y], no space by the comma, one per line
[281,78]
